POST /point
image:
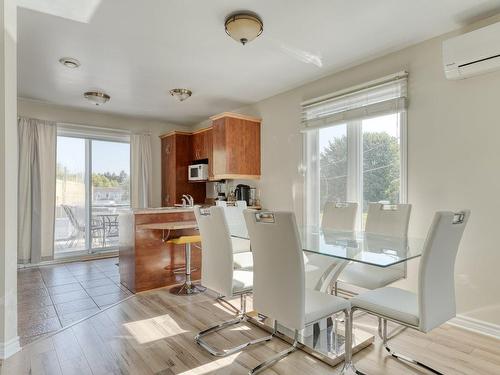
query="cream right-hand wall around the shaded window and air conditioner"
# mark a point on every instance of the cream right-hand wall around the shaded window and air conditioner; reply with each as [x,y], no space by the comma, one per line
[453,158]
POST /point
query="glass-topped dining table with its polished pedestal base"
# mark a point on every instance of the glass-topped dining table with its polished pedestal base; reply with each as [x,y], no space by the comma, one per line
[329,252]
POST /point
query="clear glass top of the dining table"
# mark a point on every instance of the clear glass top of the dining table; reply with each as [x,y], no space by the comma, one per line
[373,249]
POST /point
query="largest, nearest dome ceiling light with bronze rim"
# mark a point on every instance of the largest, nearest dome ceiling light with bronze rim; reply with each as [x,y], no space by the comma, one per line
[243,26]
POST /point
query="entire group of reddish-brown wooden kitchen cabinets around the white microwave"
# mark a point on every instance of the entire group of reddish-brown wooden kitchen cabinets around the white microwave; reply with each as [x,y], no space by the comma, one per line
[231,146]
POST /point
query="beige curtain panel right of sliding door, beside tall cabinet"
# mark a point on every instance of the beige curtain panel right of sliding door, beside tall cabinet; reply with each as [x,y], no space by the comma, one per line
[141,170]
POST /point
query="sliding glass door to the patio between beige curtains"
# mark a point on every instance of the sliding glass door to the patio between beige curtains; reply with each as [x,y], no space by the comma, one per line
[92,187]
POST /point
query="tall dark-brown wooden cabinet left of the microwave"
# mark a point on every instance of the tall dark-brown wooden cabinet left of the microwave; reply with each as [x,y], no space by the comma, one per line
[176,148]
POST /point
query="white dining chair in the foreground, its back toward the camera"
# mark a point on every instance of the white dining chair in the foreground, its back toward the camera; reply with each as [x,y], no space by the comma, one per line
[279,283]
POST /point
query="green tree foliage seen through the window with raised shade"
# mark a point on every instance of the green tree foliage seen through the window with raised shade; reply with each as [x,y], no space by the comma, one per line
[381,169]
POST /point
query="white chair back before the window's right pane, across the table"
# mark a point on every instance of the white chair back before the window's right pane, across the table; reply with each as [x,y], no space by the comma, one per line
[388,219]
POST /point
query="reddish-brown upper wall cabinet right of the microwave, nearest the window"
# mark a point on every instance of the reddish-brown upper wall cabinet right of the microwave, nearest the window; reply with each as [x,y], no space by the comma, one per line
[236,146]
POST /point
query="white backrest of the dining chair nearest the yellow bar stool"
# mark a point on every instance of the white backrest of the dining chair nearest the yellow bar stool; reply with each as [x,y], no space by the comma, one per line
[217,251]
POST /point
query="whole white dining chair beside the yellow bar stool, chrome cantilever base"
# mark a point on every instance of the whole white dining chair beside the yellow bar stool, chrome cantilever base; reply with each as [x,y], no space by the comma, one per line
[218,274]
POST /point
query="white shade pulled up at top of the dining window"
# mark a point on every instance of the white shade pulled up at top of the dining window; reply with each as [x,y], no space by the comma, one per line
[376,98]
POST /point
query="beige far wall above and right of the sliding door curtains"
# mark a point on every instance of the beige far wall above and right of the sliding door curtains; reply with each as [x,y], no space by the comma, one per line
[36,109]
